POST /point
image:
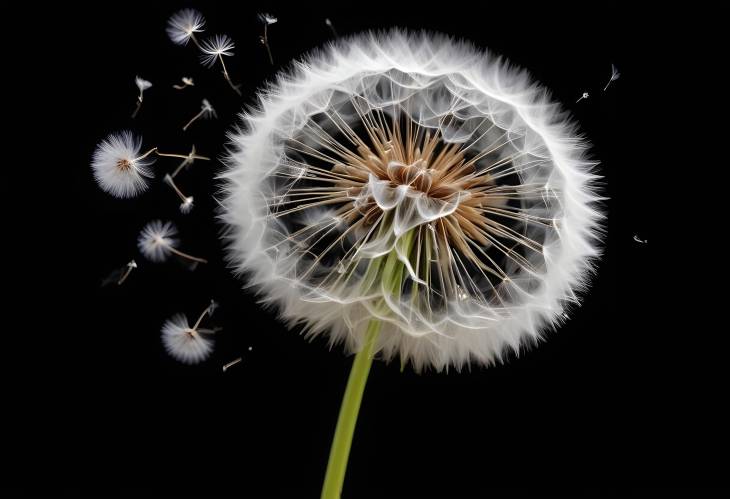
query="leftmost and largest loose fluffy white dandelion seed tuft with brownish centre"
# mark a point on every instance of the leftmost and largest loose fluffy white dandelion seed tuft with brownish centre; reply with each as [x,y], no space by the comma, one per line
[118,166]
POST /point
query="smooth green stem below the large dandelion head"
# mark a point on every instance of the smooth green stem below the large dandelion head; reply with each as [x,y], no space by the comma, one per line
[340,451]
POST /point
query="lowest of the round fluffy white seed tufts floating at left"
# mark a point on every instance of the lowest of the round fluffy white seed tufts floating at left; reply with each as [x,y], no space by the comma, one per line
[189,345]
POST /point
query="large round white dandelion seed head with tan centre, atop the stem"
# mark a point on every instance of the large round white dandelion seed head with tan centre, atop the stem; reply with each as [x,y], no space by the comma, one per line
[418,180]
